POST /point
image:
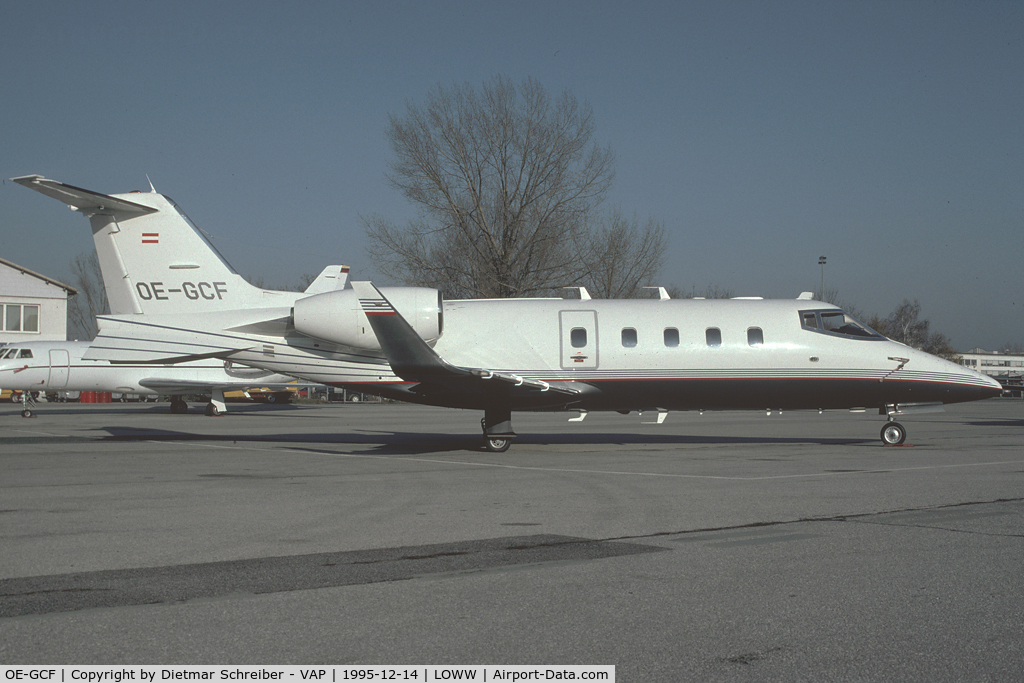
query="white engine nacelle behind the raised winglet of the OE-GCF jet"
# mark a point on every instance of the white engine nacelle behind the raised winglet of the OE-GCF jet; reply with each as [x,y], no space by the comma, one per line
[338,318]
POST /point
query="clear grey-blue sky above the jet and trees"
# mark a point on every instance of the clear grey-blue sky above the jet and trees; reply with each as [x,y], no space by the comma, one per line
[888,137]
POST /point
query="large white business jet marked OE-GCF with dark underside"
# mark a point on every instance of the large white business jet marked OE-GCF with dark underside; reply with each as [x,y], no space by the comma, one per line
[496,356]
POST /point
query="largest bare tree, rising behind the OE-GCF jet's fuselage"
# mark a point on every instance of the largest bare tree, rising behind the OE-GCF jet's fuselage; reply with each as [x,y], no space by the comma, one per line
[506,181]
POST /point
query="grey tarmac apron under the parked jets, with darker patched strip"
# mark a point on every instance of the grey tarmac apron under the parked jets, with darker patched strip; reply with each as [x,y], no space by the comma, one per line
[715,547]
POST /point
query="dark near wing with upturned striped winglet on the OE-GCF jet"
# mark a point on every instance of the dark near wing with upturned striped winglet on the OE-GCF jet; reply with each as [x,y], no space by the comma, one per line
[414,361]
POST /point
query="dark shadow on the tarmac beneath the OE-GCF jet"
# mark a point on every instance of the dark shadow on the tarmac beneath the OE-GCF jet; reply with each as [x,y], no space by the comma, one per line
[399,443]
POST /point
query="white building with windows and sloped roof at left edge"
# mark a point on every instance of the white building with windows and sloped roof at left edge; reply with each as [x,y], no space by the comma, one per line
[32,307]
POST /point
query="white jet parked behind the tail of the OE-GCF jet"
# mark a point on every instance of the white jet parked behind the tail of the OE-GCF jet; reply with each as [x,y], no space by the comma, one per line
[48,367]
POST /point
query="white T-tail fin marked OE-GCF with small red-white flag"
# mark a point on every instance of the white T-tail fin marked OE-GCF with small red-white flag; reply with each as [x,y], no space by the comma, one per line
[153,259]
